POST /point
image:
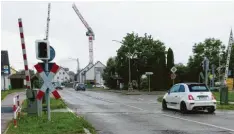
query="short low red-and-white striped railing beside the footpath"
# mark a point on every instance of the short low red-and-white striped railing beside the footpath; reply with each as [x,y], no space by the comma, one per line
[16,109]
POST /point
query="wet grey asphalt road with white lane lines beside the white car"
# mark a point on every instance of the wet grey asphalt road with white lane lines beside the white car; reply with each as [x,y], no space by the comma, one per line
[113,113]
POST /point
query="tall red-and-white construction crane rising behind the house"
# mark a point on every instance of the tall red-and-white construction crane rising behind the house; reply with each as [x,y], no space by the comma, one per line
[89,33]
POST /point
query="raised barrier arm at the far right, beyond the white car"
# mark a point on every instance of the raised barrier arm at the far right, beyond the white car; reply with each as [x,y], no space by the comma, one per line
[229,49]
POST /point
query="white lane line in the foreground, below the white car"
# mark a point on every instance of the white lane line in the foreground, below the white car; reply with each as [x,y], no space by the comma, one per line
[202,123]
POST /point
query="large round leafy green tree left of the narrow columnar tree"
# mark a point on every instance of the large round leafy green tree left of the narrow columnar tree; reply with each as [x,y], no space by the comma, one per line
[146,55]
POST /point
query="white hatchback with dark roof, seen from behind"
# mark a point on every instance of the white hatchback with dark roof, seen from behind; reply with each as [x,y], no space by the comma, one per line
[189,97]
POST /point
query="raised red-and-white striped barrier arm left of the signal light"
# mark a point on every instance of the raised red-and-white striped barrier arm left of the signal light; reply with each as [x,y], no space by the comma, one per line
[24,54]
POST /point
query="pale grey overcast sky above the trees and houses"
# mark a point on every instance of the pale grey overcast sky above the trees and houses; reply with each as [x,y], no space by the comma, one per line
[178,24]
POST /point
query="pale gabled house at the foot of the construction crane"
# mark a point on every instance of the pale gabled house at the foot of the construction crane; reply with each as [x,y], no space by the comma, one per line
[92,73]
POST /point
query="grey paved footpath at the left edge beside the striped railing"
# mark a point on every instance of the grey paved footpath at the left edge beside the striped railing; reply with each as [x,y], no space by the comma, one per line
[7,110]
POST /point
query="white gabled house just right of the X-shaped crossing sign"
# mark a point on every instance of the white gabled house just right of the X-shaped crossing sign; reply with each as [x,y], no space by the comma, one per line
[61,76]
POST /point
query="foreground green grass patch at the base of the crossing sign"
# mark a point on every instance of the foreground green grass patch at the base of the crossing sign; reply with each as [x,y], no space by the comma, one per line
[61,123]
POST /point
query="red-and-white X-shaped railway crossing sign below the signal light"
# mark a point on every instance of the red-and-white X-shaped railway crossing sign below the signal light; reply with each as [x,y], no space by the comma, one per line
[47,81]
